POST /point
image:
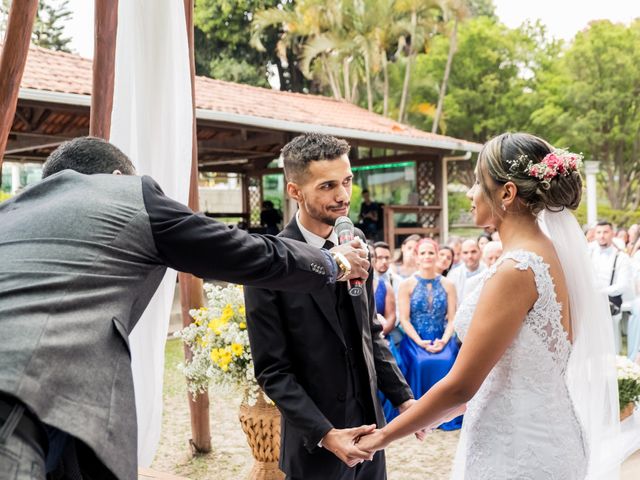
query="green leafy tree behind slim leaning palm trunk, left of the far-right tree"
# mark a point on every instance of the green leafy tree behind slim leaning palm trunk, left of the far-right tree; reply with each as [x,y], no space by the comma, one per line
[487,91]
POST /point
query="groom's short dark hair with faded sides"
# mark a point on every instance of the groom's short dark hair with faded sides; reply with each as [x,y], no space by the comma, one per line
[307,148]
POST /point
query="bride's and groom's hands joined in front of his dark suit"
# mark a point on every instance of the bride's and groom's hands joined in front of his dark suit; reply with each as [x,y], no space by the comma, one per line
[355,445]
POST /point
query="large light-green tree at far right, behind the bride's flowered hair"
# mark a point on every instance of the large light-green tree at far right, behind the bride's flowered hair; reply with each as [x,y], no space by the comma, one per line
[592,104]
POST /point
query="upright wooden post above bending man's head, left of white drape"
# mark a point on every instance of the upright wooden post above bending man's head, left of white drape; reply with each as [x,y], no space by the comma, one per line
[104,60]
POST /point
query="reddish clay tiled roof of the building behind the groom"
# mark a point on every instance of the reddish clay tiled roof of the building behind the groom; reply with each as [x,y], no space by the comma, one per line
[48,70]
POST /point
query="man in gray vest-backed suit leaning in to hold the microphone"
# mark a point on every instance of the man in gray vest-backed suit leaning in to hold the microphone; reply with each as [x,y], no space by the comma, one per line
[81,255]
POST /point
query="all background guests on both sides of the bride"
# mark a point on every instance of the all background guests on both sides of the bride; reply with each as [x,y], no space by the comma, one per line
[417,296]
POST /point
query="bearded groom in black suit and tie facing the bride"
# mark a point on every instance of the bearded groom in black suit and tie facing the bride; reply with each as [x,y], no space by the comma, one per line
[320,356]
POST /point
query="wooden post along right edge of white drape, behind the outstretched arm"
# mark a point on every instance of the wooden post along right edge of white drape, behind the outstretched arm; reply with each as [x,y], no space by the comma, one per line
[190,286]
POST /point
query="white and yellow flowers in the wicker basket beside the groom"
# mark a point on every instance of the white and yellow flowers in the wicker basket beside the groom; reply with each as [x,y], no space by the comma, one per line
[219,342]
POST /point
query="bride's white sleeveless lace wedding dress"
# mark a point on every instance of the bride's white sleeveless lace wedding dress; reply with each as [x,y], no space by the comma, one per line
[521,423]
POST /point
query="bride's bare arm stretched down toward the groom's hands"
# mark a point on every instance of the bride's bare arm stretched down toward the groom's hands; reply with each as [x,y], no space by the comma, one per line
[492,330]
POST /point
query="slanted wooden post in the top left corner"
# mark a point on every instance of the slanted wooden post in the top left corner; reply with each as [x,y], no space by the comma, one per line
[12,63]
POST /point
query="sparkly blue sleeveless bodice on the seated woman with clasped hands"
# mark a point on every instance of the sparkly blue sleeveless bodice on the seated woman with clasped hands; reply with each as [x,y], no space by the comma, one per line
[428,308]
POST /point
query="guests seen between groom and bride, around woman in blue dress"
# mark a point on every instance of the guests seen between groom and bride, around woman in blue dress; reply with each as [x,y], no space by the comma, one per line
[416,298]
